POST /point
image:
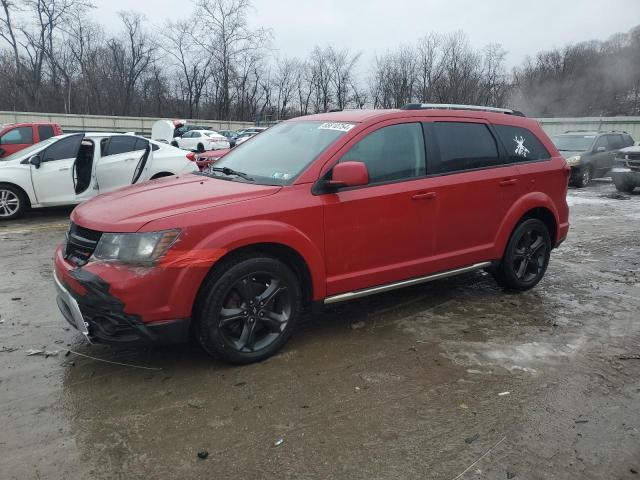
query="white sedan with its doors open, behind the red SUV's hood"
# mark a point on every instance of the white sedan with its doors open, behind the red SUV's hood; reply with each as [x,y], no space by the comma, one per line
[68,169]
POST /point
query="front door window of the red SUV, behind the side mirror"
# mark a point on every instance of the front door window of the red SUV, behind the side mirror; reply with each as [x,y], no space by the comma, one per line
[391,153]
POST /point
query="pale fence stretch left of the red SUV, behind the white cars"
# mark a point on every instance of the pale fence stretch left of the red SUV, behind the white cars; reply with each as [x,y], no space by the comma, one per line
[99,123]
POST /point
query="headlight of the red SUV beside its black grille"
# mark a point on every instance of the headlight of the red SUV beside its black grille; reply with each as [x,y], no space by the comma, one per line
[136,248]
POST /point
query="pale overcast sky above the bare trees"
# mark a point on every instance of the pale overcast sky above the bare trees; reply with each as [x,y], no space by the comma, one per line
[373,26]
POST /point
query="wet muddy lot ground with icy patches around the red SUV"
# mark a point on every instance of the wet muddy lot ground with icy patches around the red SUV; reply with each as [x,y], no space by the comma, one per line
[405,385]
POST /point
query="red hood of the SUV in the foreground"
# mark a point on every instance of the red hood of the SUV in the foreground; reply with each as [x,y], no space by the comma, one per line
[130,208]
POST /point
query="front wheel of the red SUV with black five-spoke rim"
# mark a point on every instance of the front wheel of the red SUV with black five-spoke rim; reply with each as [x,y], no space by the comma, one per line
[261,299]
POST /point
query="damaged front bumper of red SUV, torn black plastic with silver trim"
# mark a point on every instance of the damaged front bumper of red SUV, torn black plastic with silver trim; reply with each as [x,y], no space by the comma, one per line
[85,301]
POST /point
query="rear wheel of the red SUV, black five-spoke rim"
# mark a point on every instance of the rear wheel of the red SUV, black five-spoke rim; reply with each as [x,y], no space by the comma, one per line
[526,257]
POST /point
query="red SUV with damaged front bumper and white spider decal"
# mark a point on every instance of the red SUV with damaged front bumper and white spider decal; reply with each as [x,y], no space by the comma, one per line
[315,210]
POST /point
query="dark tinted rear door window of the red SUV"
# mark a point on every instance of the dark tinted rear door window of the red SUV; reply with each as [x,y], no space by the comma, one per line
[463,146]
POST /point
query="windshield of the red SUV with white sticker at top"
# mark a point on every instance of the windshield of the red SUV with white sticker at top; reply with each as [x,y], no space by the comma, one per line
[278,155]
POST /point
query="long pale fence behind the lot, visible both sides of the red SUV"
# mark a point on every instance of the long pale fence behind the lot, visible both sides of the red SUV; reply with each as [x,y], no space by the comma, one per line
[142,125]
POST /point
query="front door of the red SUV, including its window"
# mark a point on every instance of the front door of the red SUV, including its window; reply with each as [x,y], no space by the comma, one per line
[382,232]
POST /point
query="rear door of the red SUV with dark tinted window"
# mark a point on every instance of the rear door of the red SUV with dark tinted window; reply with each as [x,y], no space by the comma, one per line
[477,187]
